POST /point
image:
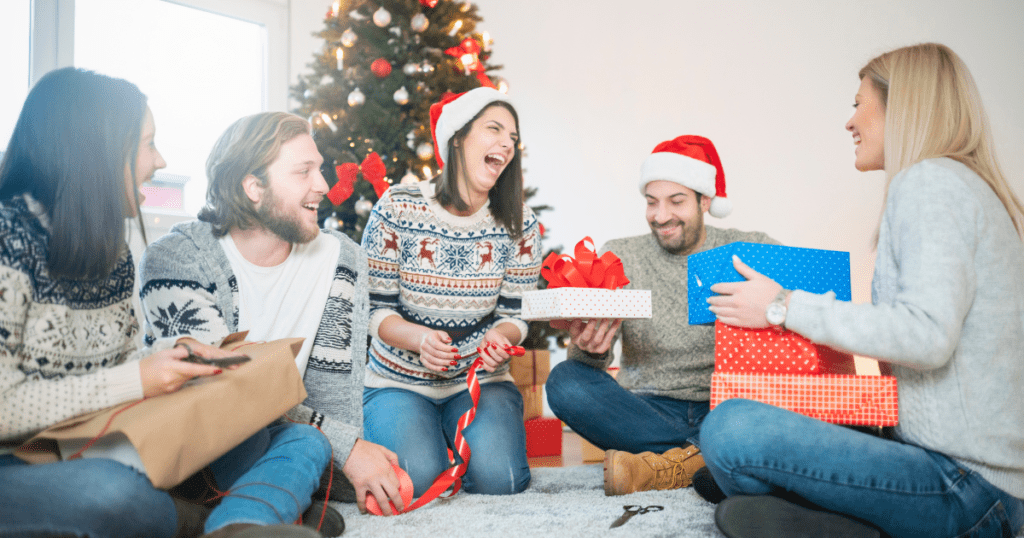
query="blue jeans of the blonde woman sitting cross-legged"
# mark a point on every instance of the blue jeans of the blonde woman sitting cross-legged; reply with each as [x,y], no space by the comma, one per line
[907,491]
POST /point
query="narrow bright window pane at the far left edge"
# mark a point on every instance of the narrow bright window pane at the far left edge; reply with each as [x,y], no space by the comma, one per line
[15,65]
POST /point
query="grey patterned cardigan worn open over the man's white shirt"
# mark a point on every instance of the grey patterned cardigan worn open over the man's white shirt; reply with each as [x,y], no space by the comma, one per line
[189,289]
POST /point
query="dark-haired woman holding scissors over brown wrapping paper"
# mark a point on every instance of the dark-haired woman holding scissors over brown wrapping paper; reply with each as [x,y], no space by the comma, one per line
[82,147]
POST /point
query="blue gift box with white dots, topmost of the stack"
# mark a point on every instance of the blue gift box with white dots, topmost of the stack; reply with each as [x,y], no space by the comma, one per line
[794,268]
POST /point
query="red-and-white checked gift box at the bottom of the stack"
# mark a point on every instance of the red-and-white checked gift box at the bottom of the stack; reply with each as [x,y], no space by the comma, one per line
[858,400]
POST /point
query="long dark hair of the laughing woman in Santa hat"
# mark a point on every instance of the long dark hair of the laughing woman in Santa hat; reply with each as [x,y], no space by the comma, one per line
[506,197]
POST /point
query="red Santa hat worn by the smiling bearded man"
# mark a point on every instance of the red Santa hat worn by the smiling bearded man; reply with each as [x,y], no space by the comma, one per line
[693,162]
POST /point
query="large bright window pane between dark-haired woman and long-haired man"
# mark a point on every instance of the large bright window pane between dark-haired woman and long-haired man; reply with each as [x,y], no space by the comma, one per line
[201,71]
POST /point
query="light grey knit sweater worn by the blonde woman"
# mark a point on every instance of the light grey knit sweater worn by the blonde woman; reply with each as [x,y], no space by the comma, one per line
[949,313]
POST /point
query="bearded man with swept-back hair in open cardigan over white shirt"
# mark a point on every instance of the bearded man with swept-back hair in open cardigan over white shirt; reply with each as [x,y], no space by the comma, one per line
[258,261]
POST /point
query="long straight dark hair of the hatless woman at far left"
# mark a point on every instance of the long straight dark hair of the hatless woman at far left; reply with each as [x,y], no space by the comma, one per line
[77,134]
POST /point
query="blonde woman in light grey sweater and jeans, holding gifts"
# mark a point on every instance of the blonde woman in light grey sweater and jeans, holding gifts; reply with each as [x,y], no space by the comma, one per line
[948,315]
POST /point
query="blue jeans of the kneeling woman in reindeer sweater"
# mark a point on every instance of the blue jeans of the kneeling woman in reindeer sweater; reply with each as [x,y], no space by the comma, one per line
[420,431]
